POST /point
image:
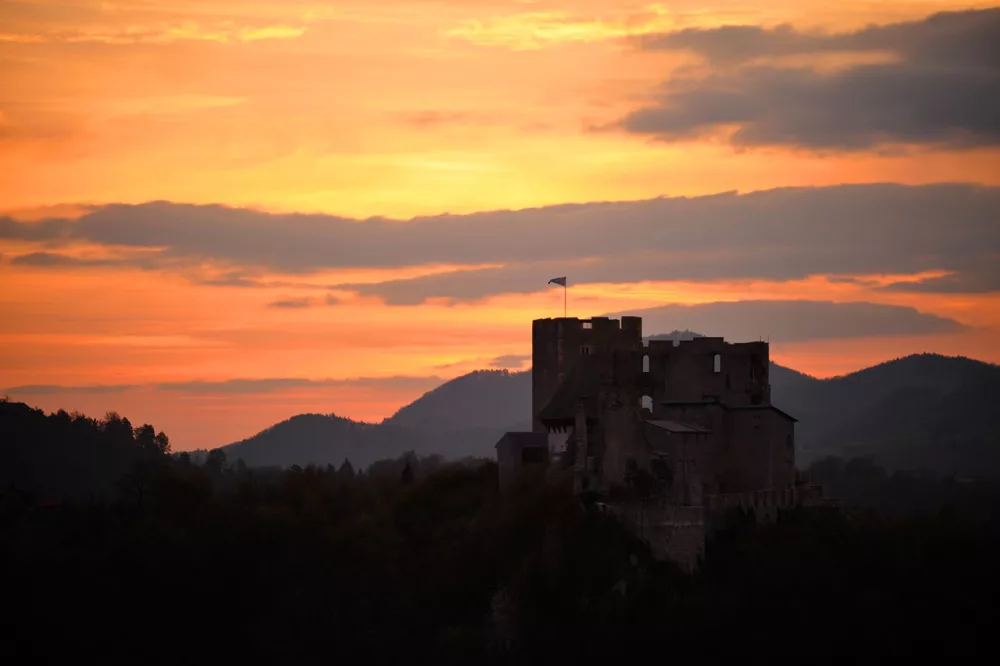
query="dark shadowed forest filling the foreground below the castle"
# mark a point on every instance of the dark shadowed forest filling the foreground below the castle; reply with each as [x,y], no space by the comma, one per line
[418,561]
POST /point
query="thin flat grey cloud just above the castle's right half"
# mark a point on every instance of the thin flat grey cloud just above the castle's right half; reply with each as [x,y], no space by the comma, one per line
[793,321]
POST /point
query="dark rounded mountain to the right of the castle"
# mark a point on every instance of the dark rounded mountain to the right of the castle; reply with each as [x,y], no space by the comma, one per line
[923,411]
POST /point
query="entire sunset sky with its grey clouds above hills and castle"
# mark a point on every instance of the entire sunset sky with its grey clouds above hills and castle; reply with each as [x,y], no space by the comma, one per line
[216,214]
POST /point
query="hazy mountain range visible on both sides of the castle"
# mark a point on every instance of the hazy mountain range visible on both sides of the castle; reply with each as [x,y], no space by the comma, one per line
[923,411]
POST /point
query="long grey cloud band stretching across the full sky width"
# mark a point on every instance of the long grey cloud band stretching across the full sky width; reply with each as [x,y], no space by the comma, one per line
[780,234]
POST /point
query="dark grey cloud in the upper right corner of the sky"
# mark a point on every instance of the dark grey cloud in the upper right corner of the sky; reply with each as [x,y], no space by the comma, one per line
[943,89]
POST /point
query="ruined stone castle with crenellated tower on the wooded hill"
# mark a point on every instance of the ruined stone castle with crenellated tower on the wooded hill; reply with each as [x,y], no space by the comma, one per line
[666,434]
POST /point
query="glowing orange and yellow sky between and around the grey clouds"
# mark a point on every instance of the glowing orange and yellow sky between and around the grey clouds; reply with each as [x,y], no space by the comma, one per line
[380,108]
